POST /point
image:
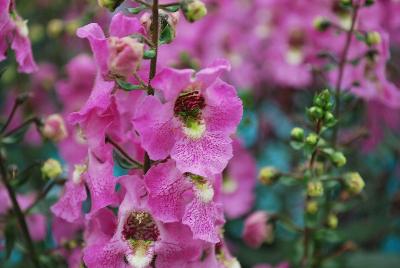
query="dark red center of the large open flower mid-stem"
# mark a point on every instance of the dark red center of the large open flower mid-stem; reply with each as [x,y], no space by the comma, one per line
[188,106]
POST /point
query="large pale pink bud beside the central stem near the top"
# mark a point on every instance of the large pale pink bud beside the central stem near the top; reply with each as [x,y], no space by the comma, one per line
[125,56]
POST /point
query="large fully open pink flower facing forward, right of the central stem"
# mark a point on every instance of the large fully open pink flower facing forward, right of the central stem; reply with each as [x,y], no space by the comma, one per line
[195,121]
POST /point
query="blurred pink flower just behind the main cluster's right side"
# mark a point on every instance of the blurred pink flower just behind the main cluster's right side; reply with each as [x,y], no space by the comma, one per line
[239,180]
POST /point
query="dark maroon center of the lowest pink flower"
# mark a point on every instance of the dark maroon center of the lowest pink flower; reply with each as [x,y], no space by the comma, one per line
[140,226]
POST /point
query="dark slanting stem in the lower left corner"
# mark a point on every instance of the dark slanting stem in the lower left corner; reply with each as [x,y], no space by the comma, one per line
[20,216]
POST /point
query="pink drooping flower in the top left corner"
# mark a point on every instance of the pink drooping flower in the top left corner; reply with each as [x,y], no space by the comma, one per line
[14,30]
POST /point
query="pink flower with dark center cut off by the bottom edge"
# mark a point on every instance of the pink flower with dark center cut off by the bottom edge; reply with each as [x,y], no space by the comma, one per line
[137,236]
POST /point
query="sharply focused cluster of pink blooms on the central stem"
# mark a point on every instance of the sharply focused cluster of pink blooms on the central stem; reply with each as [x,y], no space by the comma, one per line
[172,214]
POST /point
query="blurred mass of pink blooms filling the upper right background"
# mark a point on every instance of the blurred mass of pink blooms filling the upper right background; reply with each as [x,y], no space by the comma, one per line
[277,41]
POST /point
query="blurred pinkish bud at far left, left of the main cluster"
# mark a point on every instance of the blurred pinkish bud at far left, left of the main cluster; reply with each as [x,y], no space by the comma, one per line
[54,128]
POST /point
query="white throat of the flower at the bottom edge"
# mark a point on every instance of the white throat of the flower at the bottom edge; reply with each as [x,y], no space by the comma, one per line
[143,253]
